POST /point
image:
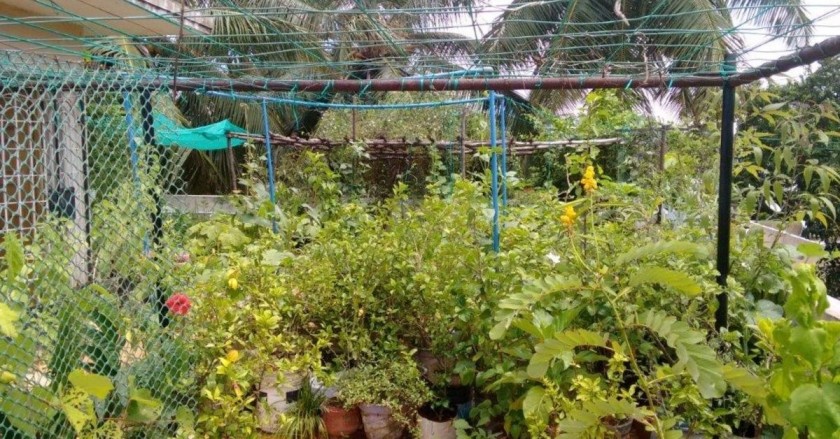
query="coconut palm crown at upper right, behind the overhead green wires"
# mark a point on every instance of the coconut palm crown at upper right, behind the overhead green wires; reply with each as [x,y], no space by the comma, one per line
[632,37]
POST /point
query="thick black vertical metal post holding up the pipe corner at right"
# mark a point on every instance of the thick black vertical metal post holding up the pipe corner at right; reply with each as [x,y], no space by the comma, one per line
[727,135]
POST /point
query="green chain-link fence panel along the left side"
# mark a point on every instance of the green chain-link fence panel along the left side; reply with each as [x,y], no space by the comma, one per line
[88,343]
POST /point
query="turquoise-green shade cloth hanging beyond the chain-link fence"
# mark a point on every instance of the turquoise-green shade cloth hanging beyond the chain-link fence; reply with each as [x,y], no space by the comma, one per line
[207,138]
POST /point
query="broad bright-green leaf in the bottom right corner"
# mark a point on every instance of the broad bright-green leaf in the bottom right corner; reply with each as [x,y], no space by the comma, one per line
[816,408]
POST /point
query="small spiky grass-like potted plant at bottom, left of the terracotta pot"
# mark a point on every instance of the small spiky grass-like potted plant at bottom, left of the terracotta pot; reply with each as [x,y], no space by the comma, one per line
[303,419]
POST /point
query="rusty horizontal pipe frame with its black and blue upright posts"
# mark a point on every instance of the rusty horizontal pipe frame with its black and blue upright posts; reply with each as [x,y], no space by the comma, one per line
[728,79]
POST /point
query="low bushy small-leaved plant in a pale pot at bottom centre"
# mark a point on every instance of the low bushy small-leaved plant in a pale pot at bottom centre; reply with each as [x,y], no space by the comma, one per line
[386,392]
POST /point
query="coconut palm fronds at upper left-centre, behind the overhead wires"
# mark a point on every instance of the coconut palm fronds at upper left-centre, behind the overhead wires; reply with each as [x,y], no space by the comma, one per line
[293,39]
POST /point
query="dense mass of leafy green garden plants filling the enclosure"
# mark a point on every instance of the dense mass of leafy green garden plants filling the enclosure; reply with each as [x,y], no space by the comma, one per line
[597,313]
